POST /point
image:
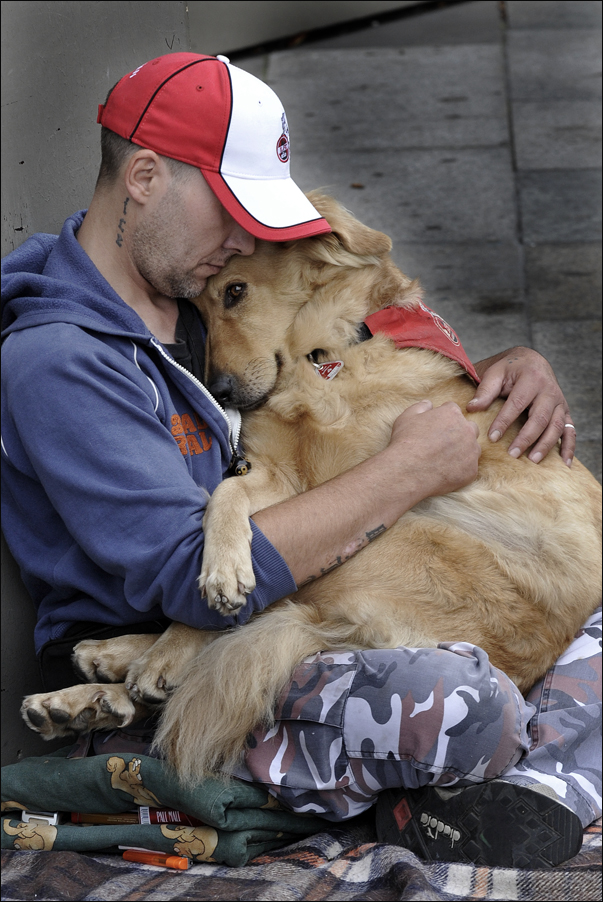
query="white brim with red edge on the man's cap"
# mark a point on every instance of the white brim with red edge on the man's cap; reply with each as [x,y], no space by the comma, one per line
[270,209]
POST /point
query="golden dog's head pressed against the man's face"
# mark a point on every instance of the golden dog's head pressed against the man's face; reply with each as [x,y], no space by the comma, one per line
[266,312]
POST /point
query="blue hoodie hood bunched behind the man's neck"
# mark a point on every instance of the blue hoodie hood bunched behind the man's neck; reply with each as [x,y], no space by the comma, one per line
[51,278]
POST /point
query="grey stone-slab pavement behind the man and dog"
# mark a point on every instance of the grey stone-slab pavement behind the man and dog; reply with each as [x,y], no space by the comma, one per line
[471,135]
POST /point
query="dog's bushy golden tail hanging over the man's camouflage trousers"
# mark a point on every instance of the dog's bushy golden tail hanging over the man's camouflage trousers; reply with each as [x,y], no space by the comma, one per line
[232,687]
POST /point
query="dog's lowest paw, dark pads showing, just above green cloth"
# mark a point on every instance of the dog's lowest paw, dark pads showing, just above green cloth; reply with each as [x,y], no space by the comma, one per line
[78,709]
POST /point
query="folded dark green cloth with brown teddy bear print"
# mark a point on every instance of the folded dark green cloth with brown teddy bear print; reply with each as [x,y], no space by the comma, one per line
[240,820]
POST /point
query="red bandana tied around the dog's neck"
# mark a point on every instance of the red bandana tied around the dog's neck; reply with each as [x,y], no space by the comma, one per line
[420,327]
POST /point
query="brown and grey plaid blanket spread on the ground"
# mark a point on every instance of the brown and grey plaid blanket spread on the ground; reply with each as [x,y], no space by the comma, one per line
[340,863]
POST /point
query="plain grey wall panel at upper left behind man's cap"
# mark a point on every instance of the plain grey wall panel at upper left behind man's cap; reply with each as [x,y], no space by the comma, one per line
[59,59]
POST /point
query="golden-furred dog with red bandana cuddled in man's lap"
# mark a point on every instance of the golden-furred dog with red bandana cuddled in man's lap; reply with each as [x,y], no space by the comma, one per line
[511,562]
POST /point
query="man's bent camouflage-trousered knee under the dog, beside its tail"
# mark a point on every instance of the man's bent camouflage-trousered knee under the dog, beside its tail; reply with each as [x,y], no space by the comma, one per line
[352,724]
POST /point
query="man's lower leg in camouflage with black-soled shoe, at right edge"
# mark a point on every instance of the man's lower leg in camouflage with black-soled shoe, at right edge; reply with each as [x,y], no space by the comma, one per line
[534,814]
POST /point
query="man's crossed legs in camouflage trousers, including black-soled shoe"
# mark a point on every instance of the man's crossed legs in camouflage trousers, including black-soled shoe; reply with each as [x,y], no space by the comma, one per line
[355,726]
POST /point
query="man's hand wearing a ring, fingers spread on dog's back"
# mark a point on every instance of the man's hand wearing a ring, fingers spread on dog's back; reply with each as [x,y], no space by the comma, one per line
[527,381]
